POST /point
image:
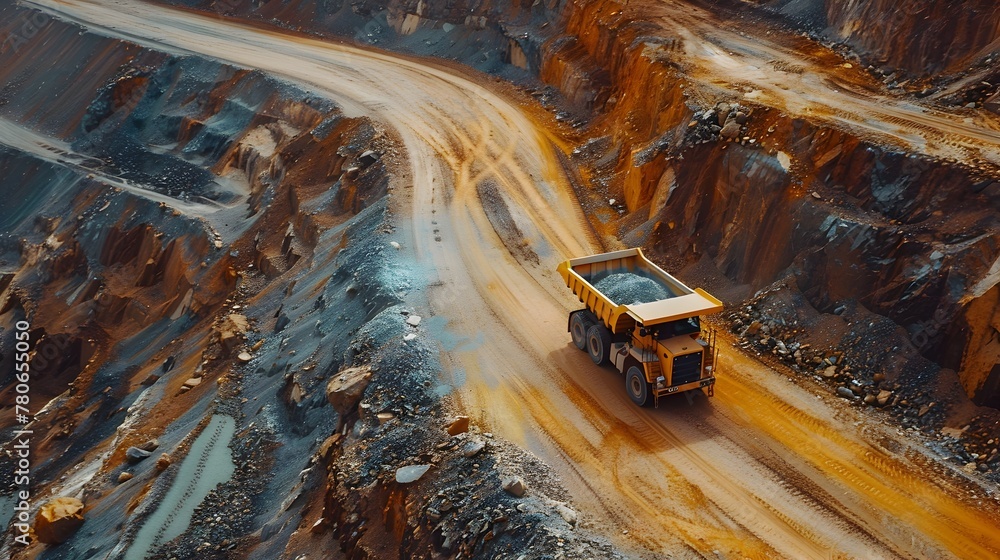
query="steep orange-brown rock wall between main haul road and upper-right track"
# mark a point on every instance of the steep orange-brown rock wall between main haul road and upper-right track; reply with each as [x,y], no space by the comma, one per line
[758,195]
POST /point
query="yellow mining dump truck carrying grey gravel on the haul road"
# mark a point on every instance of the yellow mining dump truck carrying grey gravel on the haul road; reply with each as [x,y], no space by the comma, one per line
[644,322]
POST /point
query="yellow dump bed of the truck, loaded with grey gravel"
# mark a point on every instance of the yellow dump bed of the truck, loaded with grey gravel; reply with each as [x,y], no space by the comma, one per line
[680,301]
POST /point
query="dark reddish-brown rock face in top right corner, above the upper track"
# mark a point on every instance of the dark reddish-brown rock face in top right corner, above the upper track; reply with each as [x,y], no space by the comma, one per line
[920,36]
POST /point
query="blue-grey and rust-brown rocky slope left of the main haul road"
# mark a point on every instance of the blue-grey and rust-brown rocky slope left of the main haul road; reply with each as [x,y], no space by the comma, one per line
[200,250]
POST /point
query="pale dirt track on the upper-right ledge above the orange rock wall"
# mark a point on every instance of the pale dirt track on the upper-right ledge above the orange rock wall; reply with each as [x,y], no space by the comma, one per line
[791,73]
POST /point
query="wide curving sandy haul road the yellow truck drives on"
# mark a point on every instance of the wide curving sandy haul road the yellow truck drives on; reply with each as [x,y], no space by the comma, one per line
[764,470]
